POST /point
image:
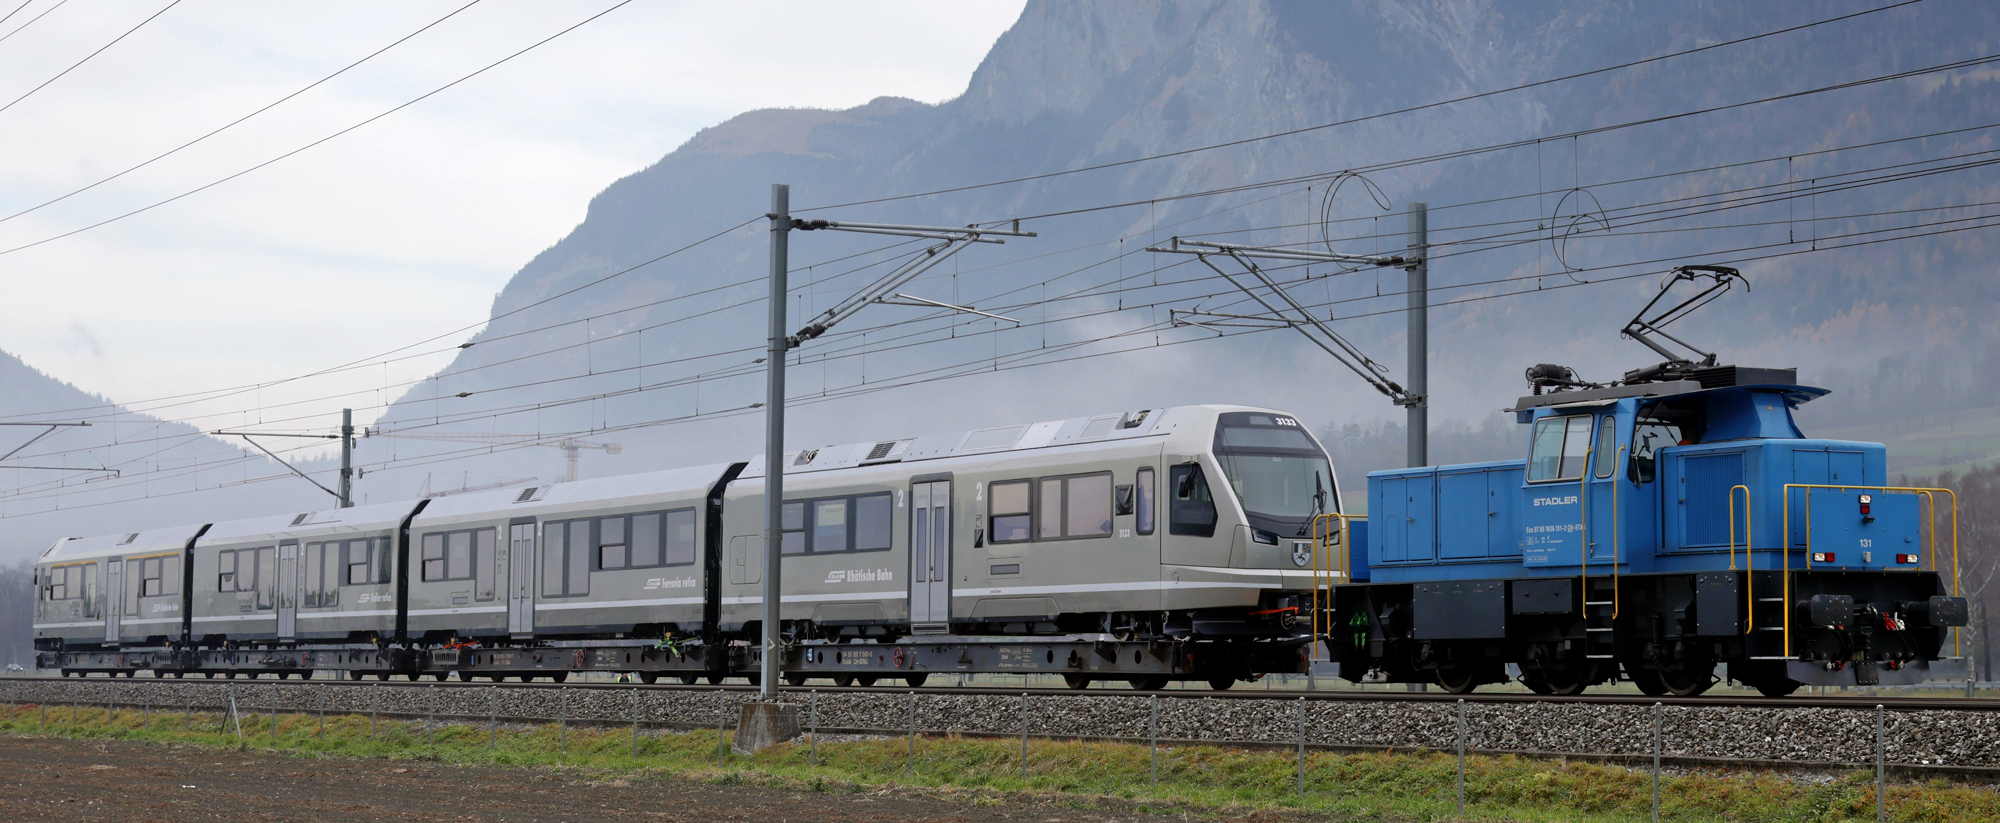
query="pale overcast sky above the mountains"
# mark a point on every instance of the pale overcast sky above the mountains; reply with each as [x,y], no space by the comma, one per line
[397,231]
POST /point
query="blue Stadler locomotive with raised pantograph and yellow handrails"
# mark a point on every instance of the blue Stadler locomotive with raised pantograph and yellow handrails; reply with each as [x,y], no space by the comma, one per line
[1659,526]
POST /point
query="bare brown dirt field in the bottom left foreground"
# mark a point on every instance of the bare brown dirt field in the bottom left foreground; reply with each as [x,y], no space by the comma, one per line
[59,780]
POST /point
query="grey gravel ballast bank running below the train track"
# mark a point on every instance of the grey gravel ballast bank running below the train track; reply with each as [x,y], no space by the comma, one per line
[1949,740]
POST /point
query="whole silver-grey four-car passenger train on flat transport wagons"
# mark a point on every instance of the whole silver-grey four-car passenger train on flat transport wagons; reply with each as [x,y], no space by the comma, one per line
[1159,528]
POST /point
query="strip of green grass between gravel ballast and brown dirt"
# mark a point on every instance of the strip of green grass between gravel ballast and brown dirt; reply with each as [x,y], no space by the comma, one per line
[1419,786]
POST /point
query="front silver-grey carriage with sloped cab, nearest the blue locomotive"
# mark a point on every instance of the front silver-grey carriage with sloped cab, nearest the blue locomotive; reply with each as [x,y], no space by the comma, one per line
[1185,522]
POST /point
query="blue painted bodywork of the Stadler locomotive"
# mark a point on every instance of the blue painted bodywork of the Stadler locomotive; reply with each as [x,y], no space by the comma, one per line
[1487,520]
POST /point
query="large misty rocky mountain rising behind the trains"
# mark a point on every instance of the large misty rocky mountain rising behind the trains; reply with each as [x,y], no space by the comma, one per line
[661,359]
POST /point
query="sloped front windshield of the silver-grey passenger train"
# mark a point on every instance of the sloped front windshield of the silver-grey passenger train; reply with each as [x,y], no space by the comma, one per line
[1281,476]
